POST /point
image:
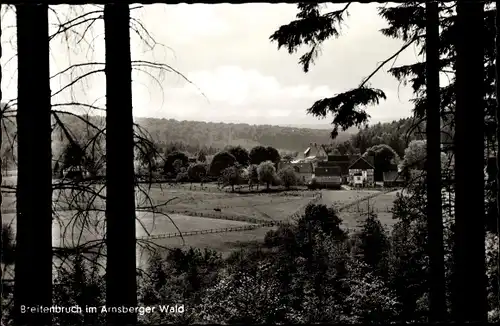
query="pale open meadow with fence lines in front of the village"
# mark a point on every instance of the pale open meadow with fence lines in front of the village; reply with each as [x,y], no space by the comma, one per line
[185,208]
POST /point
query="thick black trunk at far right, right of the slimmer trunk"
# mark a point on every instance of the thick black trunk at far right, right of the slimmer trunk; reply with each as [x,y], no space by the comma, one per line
[469,297]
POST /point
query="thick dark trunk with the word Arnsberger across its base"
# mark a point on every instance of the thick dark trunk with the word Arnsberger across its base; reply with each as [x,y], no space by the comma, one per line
[121,284]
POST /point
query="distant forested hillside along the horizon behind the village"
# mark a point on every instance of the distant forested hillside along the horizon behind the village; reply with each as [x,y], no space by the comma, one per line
[192,136]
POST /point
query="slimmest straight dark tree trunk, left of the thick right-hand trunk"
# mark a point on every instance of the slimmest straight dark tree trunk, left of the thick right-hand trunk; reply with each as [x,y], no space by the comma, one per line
[433,167]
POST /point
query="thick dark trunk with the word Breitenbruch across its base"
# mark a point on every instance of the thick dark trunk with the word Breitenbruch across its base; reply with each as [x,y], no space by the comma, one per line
[33,264]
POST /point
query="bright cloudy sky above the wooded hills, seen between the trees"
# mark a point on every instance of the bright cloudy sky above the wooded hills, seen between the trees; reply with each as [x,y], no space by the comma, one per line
[228,70]
